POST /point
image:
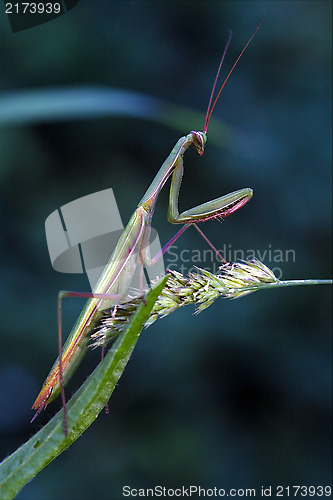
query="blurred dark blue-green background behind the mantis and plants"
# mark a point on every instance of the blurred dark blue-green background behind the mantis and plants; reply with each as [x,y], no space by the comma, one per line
[239,396]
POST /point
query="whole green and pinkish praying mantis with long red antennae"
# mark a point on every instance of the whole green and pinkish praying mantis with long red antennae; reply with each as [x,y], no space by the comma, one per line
[133,249]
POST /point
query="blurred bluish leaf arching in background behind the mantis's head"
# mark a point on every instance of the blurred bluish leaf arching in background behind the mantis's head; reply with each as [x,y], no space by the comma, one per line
[26,107]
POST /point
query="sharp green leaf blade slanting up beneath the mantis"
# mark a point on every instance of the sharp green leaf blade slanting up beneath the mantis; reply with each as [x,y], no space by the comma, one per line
[83,408]
